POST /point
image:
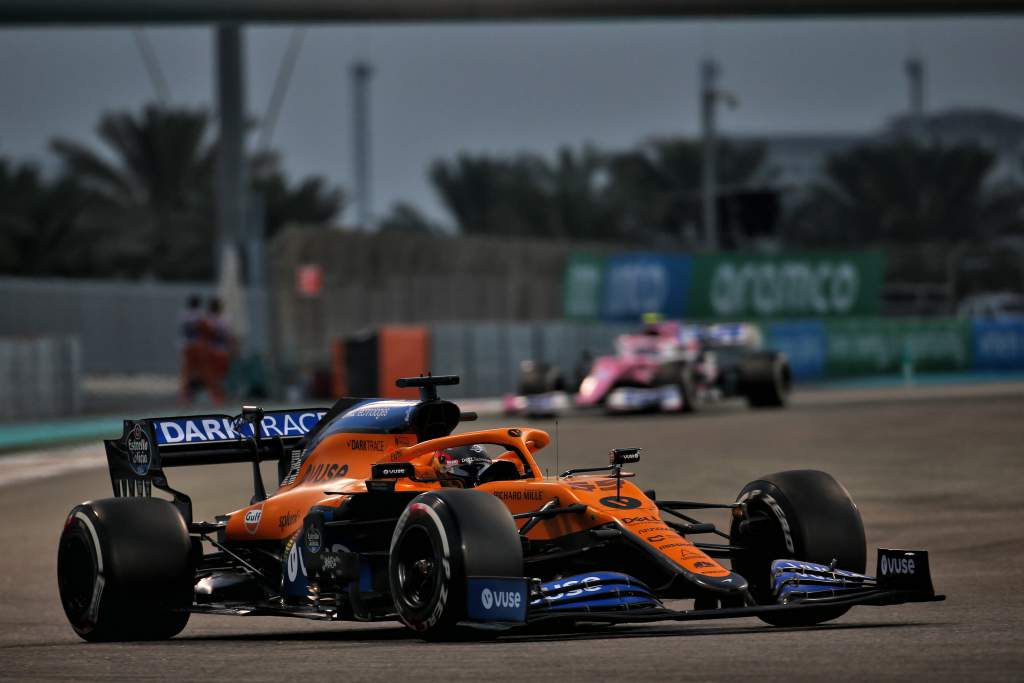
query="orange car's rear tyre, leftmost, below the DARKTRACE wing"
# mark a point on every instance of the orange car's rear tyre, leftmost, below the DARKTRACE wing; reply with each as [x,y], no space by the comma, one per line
[125,570]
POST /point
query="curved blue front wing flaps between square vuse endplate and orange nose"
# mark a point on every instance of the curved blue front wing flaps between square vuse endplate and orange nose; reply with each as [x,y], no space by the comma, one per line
[602,591]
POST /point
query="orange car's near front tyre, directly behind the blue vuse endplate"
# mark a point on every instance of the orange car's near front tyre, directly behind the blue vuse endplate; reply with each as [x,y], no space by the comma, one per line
[443,538]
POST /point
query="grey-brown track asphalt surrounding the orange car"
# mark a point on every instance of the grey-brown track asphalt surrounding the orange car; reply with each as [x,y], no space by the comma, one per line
[937,471]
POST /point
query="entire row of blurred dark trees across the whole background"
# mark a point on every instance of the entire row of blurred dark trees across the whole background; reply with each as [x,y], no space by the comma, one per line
[142,204]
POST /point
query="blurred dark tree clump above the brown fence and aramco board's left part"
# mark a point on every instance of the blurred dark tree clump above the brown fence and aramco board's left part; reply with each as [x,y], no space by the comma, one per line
[646,196]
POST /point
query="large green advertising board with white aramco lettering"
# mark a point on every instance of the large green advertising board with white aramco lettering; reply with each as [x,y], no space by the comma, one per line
[796,285]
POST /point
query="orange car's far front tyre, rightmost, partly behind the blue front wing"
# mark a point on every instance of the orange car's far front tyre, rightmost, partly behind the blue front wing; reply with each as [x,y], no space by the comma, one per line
[802,516]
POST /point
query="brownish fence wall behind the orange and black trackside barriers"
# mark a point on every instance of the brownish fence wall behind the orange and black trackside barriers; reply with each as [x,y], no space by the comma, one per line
[374,280]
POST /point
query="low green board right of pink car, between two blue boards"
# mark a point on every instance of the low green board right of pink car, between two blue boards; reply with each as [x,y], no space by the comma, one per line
[883,346]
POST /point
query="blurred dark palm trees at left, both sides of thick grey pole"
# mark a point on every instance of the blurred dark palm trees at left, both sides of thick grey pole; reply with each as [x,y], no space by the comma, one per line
[142,204]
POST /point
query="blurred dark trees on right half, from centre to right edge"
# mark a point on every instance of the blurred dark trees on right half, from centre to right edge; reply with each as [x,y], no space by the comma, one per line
[892,191]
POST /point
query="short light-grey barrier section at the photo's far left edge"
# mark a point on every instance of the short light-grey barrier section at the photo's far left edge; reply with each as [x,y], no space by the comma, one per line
[40,377]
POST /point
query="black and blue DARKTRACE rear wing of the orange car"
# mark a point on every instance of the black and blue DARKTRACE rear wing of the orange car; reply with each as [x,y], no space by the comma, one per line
[138,459]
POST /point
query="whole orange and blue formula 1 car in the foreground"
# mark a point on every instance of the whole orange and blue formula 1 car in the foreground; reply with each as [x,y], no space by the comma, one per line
[382,514]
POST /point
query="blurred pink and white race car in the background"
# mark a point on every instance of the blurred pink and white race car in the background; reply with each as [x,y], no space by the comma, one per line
[668,367]
